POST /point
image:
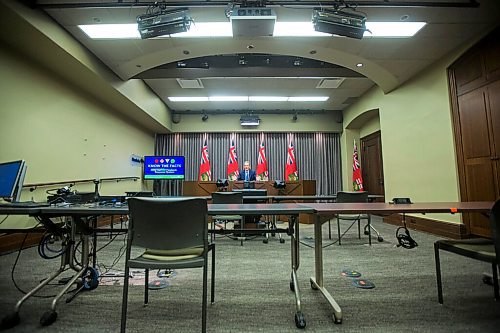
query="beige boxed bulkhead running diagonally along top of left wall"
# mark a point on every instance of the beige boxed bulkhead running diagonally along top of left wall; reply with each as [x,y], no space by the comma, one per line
[48,44]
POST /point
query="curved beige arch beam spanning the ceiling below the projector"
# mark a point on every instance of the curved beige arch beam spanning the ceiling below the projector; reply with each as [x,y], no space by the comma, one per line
[215,46]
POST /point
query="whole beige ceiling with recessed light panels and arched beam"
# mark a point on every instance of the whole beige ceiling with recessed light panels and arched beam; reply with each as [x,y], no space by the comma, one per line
[277,66]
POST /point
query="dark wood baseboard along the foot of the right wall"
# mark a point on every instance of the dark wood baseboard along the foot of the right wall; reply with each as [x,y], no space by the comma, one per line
[439,228]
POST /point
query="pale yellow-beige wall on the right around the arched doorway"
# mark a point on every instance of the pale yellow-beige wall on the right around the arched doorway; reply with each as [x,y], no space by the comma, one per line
[417,139]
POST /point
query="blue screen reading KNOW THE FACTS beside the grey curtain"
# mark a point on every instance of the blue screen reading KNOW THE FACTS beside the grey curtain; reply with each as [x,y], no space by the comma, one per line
[164,167]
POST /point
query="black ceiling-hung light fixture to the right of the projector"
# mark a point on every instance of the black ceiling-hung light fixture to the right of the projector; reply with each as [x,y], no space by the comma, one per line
[338,22]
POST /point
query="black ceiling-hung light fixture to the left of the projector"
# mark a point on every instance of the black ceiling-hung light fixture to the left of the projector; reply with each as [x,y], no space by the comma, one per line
[163,22]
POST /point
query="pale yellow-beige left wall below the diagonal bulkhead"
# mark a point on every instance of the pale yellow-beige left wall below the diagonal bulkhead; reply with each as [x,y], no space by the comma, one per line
[63,133]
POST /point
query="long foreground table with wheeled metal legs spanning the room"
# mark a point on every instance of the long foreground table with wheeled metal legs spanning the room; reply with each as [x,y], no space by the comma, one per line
[292,209]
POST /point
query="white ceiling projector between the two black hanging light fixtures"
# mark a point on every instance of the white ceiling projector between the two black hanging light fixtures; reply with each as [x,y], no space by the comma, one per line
[253,21]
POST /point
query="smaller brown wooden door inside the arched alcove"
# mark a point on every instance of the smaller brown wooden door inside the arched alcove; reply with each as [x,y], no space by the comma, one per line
[372,165]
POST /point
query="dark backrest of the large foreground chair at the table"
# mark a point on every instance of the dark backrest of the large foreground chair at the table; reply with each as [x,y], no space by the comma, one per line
[167,224]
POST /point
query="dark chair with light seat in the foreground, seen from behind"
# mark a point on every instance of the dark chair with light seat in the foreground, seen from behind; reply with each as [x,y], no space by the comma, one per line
[174,235]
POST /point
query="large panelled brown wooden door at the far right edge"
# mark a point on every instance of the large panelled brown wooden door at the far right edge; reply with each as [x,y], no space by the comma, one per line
[474,82]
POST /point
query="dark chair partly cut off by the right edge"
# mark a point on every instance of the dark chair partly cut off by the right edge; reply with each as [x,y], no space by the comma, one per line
[483,249]
